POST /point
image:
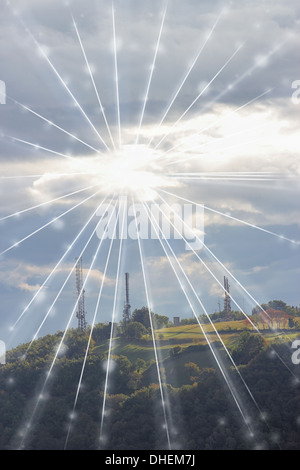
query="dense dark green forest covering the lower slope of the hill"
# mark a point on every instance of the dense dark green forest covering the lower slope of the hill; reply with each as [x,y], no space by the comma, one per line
[255,406]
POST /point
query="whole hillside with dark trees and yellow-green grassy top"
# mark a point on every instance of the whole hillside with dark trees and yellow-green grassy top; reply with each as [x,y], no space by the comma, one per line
[197,395]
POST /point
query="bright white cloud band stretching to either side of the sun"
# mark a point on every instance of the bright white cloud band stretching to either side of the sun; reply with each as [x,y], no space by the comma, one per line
[260,139]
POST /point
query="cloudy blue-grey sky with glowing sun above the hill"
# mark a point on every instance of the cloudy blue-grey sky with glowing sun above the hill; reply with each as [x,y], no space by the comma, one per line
[179,102]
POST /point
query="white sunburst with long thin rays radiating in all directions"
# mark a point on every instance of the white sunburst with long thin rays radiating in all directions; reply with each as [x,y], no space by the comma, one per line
[145,173]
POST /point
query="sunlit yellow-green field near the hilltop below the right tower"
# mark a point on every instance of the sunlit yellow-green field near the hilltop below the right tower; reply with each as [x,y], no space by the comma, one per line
[192,343]
